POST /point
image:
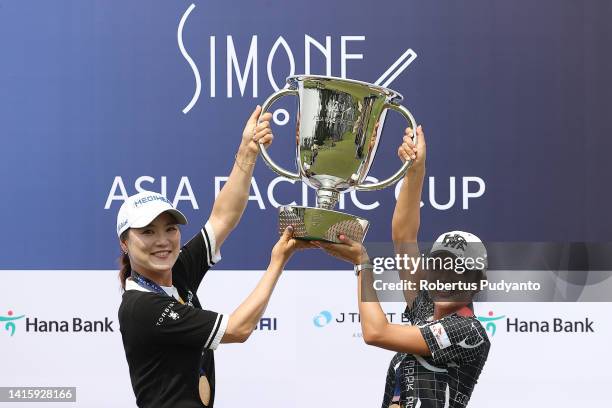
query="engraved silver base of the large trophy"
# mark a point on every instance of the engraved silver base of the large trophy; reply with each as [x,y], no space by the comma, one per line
[318,224]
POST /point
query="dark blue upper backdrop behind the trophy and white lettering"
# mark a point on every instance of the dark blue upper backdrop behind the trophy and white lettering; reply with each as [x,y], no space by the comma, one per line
[513,97]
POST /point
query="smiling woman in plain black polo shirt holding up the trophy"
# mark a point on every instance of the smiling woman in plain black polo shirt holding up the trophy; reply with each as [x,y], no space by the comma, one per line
[168,338]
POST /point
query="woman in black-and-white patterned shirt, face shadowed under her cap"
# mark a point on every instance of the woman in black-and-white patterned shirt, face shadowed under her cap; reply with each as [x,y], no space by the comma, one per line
[441,353]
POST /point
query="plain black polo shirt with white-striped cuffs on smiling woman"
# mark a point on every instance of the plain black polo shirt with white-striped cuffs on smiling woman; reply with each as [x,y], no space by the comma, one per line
[168,344]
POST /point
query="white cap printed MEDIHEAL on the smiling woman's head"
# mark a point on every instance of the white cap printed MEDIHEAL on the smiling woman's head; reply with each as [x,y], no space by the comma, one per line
[141,209]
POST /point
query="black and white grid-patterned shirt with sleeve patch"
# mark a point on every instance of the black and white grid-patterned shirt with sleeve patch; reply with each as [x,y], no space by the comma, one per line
[459,348]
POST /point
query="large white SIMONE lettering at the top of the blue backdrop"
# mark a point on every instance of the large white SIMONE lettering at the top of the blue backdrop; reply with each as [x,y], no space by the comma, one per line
[281,51]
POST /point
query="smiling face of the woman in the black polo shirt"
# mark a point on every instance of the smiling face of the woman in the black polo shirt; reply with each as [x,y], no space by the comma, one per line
[154,249]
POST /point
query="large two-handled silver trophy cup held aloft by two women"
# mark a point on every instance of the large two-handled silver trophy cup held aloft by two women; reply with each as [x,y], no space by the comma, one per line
[339,123]
